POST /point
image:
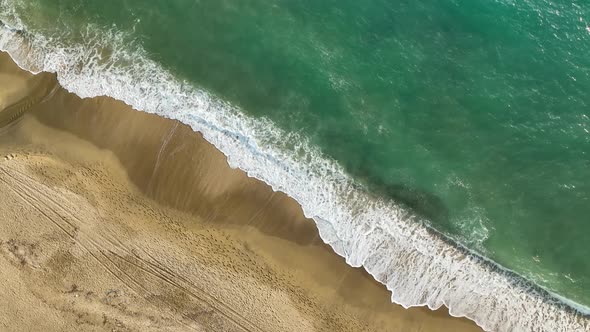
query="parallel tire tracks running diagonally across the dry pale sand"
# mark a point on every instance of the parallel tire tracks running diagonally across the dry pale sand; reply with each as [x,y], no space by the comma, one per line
[112,254]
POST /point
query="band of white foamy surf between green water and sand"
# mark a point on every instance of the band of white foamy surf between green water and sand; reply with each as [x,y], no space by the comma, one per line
[416,265]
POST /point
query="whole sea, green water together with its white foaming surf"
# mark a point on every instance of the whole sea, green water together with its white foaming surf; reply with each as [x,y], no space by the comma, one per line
[443,145]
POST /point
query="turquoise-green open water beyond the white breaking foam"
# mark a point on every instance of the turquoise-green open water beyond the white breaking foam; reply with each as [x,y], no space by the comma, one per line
[473,115]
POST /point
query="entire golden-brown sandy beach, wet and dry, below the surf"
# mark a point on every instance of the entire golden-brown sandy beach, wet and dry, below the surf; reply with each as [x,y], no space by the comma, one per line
[115,220]
